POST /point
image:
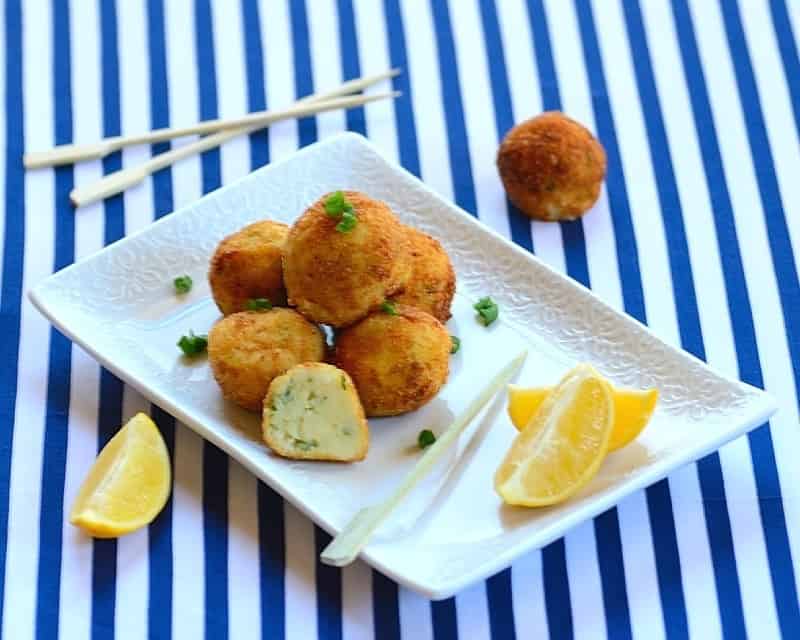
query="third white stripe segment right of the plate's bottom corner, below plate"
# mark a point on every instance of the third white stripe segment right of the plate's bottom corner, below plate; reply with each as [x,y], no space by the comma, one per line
[585,588]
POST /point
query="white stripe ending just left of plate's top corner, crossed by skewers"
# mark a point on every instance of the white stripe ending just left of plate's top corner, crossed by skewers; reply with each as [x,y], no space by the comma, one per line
[326,66]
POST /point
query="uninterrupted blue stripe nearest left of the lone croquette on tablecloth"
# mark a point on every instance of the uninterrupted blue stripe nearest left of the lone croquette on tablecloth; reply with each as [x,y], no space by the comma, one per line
[457,144]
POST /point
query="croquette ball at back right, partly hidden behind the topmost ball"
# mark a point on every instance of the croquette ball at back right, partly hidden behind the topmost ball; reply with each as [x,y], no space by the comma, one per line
[431,283]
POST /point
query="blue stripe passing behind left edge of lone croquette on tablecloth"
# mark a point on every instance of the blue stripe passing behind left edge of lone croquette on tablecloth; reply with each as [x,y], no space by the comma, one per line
[518,222]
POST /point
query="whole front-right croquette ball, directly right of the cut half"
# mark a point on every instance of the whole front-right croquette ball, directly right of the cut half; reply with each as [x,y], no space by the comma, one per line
[397,361]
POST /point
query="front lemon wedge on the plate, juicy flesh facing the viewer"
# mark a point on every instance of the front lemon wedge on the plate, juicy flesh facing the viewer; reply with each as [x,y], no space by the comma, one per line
[563,446]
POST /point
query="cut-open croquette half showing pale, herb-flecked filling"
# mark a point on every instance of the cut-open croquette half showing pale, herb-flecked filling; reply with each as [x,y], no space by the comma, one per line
[312,412]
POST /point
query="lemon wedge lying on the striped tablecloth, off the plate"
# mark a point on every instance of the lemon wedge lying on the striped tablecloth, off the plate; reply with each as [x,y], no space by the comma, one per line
[128,484]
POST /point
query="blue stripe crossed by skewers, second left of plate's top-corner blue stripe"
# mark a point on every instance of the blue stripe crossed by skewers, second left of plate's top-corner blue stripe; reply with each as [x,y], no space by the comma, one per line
[254,69]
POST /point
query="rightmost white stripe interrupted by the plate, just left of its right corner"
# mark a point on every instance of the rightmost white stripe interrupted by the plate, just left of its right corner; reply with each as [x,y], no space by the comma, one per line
[735,457]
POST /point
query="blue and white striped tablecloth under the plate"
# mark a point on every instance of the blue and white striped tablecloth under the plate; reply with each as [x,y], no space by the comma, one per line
[698,105]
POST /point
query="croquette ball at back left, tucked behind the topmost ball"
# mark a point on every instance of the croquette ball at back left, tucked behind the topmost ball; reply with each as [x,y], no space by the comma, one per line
[247,265]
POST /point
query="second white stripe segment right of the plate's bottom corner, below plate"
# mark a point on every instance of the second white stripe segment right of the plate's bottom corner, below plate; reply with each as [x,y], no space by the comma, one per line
[530,614]
